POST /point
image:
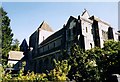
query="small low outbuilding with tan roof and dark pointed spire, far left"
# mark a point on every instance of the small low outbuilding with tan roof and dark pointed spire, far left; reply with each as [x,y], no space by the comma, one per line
[16,58]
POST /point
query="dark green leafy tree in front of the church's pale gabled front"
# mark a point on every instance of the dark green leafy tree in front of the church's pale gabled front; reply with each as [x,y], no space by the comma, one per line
[83,64]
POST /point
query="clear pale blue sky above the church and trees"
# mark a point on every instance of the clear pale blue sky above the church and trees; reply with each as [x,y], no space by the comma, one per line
[26,17]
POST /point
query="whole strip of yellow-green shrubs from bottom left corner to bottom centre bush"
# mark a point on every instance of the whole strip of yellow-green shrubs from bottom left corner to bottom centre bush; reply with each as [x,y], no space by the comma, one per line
[58,73]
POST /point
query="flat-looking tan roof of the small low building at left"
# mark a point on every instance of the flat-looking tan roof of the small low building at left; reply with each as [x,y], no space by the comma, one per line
[15,55]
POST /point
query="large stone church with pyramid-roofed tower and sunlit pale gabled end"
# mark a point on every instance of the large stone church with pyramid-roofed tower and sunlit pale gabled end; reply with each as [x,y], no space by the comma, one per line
[45,45]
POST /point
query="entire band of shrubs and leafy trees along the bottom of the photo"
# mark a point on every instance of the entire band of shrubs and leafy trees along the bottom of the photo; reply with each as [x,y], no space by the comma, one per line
[94,65]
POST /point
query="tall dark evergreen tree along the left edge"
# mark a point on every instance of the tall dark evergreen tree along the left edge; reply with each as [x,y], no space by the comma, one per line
[6,35]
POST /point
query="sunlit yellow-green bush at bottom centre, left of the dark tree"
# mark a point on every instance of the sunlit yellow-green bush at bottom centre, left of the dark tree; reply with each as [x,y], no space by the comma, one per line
[60,72]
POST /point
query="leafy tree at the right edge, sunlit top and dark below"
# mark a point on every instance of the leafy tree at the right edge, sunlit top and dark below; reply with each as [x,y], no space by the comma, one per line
[111,60]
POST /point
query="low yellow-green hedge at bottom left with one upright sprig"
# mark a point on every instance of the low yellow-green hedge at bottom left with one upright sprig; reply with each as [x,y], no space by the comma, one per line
[20,76]
